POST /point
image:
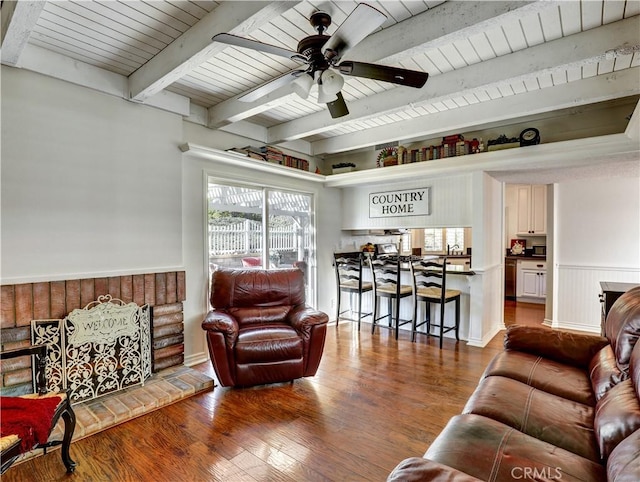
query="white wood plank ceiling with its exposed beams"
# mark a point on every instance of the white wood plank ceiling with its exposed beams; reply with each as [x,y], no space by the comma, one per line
[488,61]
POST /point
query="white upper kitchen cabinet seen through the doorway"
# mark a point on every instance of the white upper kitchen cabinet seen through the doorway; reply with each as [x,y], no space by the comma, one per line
[531,209]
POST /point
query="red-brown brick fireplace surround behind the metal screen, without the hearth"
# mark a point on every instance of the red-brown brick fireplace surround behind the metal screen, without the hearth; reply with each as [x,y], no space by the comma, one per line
[21,303]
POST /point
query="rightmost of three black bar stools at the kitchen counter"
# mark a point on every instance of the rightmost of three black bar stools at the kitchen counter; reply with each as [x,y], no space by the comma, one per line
[429,286]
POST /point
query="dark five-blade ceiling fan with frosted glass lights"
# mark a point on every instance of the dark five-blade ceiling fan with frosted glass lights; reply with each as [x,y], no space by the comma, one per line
[322,54]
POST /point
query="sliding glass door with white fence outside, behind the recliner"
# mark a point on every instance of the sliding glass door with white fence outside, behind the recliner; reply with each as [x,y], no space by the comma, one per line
[256,227]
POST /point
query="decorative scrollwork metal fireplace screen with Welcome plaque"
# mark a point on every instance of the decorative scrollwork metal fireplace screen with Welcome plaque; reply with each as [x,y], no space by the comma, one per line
[102,348]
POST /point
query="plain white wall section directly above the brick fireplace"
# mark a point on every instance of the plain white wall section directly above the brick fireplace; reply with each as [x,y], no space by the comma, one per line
[90,183]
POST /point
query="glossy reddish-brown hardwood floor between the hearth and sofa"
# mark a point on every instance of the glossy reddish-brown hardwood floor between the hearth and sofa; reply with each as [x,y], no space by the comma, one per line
[374,402]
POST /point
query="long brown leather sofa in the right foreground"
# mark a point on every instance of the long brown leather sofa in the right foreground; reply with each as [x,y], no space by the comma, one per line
[552,406]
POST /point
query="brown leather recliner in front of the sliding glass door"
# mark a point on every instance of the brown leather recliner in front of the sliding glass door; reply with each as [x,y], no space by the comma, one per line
[260,329]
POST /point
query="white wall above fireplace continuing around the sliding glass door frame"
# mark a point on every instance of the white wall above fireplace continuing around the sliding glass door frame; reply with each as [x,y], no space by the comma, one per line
[93,185]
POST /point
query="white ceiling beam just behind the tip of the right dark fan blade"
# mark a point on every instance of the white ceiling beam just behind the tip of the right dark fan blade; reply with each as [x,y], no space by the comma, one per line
[587,47]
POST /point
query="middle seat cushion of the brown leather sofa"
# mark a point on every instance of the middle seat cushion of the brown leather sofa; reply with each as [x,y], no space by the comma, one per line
[547,417]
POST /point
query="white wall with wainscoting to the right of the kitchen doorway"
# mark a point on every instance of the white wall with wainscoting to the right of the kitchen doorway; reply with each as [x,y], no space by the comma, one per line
[597,232]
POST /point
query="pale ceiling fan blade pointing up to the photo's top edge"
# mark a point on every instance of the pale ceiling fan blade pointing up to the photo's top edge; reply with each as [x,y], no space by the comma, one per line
[361,22]
